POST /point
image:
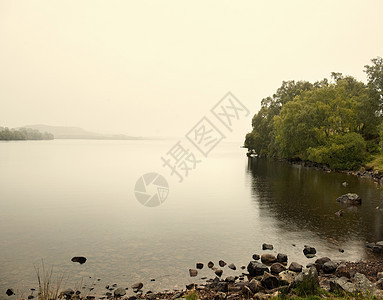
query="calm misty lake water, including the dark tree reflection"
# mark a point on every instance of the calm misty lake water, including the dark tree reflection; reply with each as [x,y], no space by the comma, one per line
[65,198]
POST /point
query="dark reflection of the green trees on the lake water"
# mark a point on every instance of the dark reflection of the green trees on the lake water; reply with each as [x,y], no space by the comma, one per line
[303,199]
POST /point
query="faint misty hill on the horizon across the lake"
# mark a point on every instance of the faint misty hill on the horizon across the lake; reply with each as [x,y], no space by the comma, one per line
[63,132]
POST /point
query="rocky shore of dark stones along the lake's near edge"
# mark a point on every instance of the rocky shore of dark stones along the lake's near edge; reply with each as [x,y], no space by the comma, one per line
[269,274]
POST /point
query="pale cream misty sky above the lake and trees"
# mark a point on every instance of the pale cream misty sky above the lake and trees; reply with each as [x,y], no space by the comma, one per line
[155,68]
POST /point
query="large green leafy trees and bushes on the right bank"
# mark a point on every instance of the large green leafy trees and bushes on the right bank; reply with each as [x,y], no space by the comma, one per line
[331,122]
